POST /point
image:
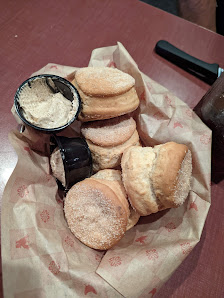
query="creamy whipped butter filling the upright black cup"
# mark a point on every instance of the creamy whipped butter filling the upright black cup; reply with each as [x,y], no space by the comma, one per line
[45,108]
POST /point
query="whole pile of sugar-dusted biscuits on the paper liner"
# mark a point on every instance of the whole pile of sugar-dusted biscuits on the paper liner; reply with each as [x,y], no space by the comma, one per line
[130,180]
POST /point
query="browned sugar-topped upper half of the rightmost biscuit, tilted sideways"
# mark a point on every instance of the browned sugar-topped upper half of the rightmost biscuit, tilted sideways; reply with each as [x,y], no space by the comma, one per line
[172,173]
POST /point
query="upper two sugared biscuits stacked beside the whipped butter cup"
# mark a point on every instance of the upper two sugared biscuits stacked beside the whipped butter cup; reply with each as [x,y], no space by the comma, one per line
[106,94]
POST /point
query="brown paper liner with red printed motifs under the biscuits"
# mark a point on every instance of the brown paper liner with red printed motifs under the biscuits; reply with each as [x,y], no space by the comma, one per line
[40,256]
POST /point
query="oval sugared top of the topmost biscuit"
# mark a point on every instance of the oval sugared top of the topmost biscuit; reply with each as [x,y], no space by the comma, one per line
[103,81]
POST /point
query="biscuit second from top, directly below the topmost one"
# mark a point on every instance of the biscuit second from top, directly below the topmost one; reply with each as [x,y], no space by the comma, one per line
[107,139]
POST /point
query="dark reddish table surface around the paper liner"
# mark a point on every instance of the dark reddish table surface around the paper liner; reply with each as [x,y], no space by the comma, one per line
[34,33]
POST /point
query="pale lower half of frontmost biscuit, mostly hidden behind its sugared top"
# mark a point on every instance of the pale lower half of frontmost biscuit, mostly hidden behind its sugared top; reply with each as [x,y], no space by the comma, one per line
[114,176]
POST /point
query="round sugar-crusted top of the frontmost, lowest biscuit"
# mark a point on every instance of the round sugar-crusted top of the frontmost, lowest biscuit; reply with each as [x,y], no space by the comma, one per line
[95,214]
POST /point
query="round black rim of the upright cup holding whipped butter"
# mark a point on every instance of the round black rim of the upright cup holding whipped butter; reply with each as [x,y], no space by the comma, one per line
[60,85]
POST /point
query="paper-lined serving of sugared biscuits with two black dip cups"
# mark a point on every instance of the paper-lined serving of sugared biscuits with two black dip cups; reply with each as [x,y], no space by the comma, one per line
[114,180]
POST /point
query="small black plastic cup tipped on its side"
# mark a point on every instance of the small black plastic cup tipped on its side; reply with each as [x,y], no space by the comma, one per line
[76,158]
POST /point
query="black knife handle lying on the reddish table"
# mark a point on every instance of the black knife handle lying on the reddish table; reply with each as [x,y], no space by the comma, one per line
[203,70]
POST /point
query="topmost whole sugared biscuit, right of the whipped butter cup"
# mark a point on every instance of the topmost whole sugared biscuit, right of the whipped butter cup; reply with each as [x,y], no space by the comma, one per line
[105,93]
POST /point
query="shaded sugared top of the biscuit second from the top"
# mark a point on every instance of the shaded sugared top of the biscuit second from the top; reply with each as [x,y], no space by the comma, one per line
[110,132]
